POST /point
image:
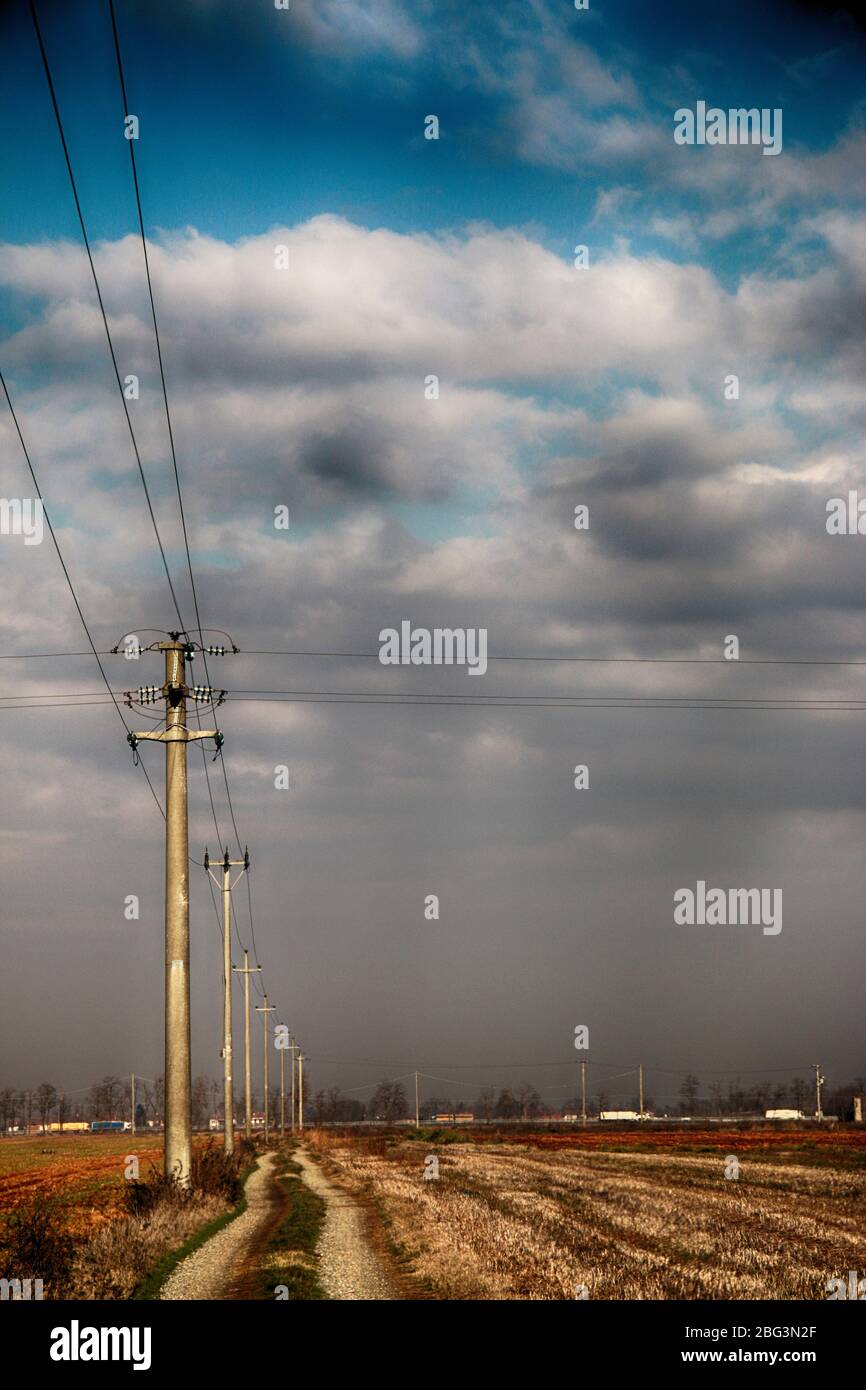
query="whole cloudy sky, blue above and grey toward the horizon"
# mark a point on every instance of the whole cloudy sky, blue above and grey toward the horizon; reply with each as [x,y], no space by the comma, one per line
[605,386]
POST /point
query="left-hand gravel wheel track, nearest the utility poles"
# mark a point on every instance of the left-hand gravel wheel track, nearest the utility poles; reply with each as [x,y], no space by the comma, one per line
[215,1267]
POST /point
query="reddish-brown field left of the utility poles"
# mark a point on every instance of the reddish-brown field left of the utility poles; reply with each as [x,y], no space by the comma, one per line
[81,1174]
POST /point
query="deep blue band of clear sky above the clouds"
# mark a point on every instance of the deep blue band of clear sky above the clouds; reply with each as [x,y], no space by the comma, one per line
[297,129]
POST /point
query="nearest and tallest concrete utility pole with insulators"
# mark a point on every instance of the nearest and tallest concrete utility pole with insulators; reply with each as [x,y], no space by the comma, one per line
[177,736]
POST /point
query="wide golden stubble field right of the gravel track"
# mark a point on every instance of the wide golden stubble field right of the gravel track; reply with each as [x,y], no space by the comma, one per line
[607,1216]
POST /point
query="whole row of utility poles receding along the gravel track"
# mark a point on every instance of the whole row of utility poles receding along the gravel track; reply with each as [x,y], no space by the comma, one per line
[176,736]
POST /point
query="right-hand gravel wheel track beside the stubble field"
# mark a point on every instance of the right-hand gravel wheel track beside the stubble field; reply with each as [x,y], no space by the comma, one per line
[348,1266]
